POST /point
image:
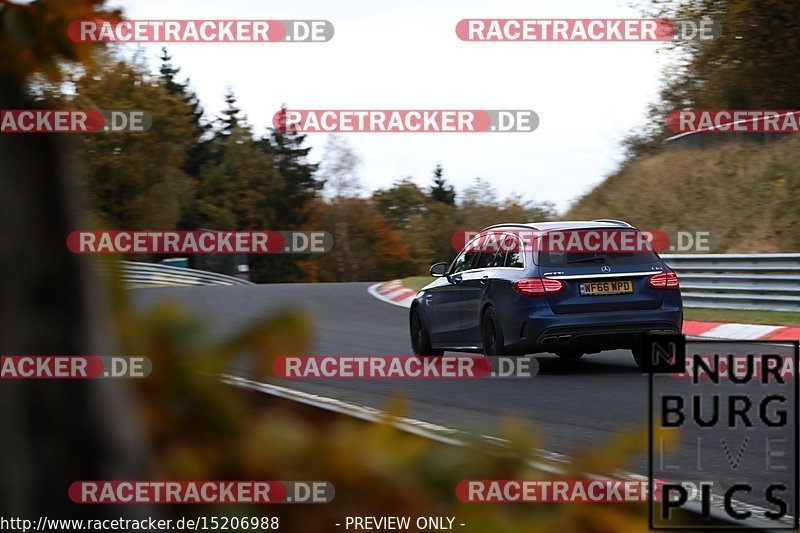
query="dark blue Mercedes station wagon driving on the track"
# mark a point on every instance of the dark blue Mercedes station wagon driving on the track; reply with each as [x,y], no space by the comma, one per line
[525,299]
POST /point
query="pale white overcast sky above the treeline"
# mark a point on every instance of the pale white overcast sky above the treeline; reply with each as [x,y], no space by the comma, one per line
[392,55]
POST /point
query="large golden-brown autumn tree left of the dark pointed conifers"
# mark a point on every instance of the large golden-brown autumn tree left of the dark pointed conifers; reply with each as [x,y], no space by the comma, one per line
[132,180]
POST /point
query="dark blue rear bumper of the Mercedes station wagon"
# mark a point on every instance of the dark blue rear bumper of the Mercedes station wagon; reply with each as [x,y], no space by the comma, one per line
[592,332]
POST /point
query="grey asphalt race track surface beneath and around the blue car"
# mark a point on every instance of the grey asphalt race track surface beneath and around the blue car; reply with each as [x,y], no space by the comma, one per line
[572,405]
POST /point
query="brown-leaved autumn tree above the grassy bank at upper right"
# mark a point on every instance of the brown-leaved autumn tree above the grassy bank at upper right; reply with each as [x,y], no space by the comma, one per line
[750,66]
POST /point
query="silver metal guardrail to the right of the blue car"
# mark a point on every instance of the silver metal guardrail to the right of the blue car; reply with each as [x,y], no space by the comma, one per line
[769,282]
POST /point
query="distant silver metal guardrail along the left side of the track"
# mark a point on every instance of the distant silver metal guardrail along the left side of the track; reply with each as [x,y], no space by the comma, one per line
[156,274]
